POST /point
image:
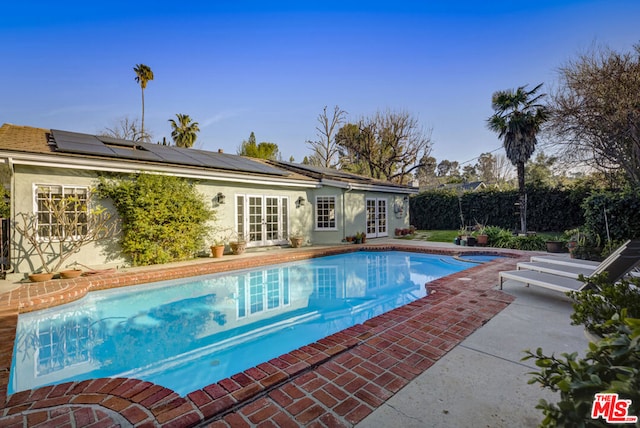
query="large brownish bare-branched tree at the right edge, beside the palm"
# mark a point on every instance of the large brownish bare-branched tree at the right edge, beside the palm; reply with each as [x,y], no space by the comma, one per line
[596,111]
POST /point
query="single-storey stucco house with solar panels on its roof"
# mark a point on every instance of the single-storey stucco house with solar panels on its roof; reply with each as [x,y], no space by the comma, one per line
[265,201]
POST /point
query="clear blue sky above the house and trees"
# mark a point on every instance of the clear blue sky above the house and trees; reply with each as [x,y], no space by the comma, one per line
[271,66]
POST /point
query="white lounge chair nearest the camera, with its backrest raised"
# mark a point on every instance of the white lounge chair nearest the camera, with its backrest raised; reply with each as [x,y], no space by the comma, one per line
[617,265]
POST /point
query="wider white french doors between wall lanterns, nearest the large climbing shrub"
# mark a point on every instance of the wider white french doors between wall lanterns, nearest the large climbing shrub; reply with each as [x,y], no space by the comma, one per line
[262,220]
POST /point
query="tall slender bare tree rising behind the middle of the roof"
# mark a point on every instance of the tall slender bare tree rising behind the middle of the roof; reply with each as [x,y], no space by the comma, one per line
[325,149]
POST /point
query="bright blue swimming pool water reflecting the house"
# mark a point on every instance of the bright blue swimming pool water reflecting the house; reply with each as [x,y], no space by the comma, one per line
[188,333]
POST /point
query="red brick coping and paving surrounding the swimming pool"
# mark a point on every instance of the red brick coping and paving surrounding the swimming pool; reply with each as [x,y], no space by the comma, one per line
[336,381]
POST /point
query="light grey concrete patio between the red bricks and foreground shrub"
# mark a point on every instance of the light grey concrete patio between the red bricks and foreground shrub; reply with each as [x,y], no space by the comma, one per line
[482,382]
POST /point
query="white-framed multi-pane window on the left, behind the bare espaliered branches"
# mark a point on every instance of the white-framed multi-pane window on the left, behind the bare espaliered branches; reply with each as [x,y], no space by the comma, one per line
[61,211]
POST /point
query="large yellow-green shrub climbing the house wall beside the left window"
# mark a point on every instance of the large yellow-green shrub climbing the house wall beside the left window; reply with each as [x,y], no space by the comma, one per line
[163,217]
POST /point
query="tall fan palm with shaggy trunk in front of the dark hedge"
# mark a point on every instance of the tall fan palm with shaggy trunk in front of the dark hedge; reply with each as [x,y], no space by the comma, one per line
[517,120]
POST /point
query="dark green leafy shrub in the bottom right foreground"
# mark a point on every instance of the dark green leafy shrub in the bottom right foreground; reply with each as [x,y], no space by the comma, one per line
[612,365]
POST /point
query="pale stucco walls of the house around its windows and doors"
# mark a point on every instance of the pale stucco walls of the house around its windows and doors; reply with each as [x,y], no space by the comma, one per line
[350,212]
